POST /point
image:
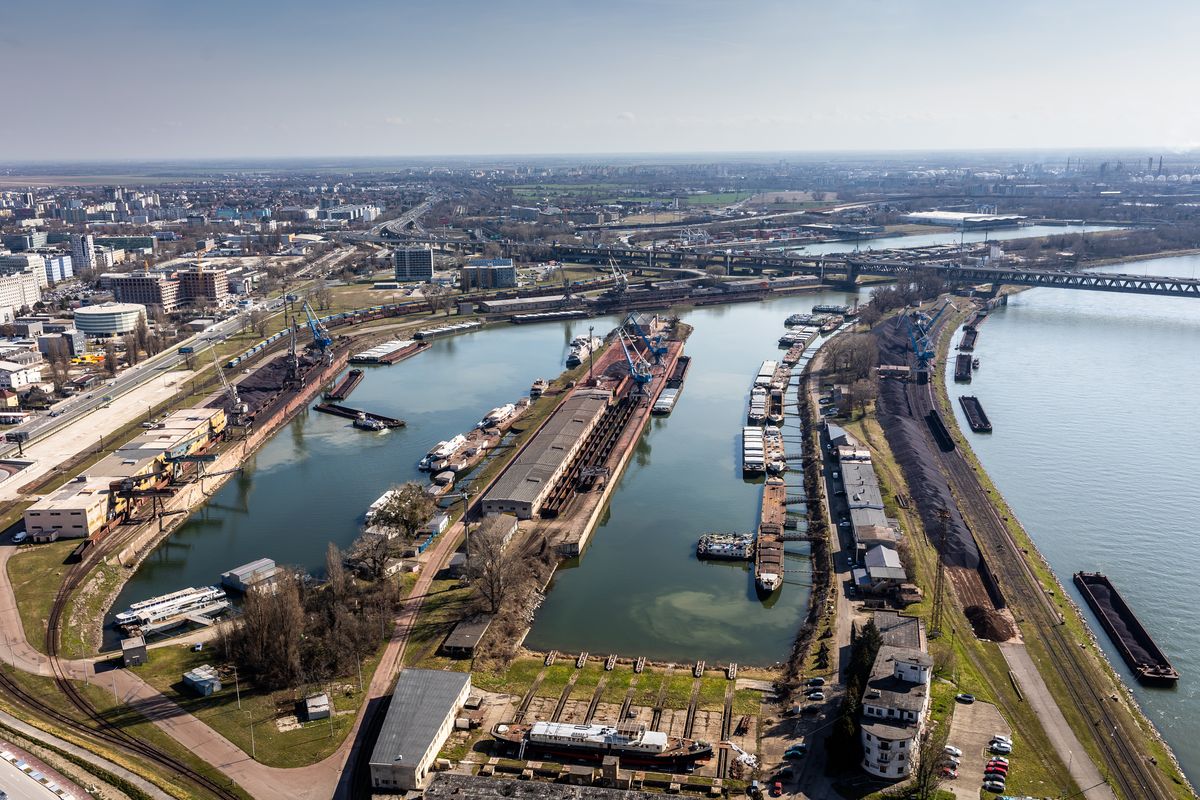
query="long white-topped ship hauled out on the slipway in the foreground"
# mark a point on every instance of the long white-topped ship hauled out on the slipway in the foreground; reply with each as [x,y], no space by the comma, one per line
[632,742]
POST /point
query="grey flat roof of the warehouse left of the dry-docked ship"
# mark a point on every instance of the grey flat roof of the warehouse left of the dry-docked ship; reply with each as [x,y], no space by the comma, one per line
[419,706]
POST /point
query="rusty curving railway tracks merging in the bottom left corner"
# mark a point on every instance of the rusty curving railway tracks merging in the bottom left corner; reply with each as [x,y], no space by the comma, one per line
[99,729]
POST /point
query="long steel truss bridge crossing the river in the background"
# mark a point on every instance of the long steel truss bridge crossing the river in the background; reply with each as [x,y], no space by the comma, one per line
[847,268]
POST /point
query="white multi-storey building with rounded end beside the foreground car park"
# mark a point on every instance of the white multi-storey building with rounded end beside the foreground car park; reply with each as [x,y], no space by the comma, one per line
[895,707]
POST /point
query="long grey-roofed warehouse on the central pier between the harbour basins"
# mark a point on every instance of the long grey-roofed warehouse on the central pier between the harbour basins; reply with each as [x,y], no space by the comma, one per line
[525,485]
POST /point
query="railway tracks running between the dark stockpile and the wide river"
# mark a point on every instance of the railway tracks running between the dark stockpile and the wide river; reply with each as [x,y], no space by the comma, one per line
[1126,768]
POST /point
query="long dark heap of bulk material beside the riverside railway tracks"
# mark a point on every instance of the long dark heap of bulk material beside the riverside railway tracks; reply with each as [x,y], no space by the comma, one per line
[907,431]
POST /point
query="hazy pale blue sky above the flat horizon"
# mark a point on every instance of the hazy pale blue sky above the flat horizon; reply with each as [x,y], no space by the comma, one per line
[221,79]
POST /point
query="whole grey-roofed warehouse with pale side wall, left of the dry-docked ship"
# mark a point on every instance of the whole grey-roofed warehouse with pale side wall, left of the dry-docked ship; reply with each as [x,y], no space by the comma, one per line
[421,718]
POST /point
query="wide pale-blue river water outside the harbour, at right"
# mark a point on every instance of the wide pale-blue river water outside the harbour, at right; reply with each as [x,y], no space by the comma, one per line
[1095,450]
